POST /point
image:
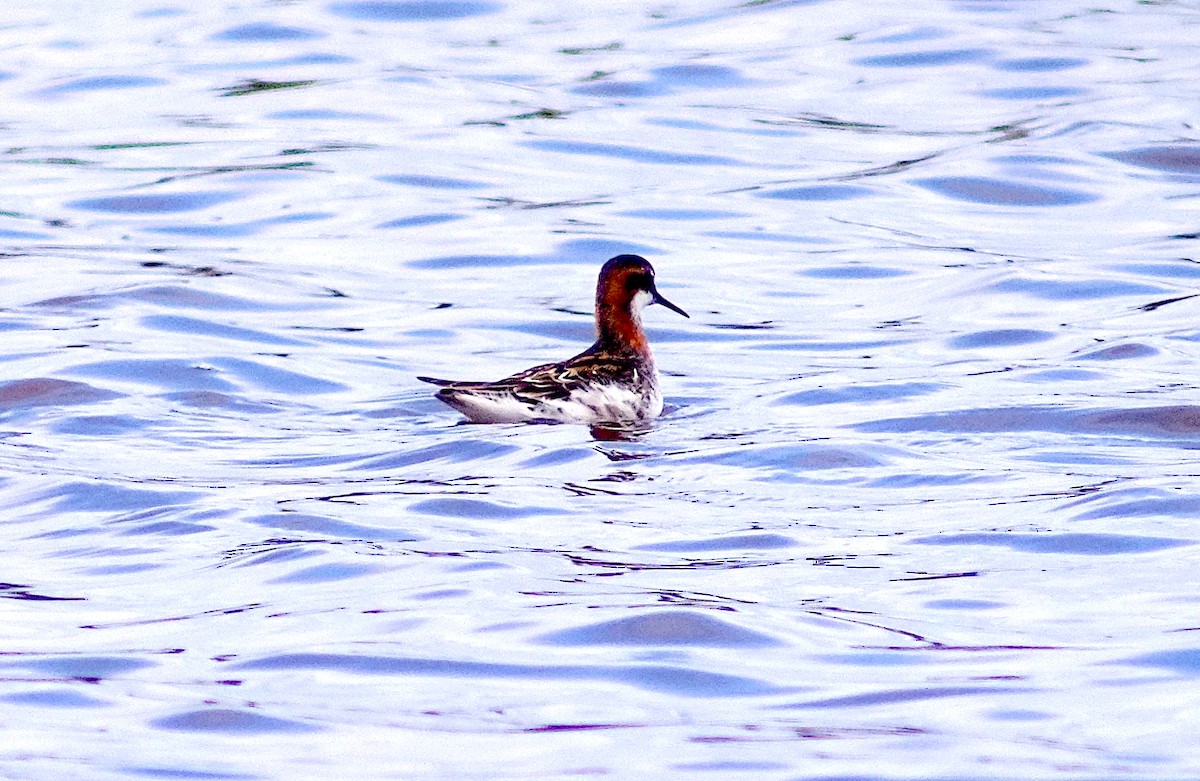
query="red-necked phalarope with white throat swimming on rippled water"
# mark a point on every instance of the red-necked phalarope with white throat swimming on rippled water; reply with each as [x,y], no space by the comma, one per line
[613,382]
